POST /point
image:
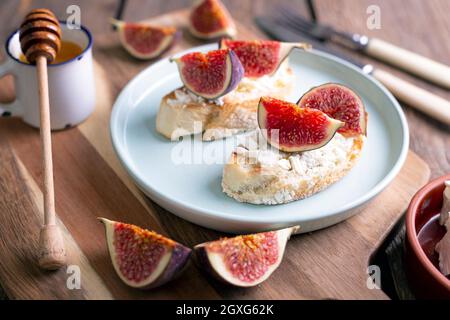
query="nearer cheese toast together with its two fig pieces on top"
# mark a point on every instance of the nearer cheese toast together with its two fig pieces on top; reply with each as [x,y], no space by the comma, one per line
[313,144]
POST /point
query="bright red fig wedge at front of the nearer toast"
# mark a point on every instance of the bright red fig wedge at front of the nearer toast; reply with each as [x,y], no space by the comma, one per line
[290,128]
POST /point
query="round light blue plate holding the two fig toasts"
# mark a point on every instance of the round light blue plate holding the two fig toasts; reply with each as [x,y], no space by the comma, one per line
[193,191]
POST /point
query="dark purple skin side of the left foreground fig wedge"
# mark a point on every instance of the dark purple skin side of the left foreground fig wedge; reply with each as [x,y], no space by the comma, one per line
[177,264]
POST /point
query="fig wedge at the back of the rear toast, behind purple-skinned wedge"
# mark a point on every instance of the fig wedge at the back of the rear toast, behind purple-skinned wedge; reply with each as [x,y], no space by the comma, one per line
[261,57]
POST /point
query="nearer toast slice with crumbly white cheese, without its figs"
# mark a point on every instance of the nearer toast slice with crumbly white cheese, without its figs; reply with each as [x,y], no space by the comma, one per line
[269,176]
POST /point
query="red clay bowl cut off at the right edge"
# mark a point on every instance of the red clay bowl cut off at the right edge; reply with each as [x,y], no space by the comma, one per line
[423,232]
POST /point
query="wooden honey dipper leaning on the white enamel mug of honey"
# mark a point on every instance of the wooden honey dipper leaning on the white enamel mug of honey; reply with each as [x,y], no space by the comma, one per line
[40,40]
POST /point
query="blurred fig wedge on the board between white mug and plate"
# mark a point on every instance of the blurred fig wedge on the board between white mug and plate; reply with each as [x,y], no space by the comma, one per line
[145,41]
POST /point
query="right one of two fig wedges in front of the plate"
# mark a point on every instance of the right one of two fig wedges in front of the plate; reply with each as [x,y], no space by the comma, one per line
[244,261]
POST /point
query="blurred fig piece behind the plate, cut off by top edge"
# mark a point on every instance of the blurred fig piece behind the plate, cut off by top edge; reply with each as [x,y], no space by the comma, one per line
[209,19]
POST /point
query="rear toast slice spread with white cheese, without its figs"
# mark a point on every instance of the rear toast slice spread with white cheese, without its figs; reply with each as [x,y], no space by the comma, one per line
[183,113]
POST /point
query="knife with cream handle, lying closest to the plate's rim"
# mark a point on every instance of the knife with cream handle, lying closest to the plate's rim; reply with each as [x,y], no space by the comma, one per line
[414,96]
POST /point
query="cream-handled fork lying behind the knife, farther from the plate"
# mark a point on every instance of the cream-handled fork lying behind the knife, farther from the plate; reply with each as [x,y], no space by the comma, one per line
[414,63]
